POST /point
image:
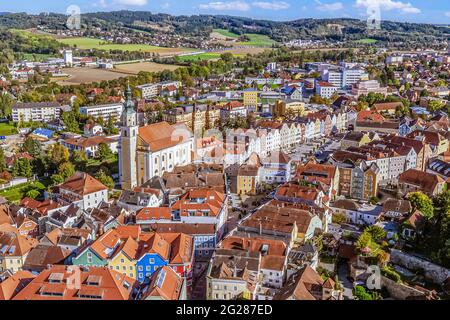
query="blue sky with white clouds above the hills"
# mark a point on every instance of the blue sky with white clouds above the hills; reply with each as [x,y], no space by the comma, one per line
[424,11]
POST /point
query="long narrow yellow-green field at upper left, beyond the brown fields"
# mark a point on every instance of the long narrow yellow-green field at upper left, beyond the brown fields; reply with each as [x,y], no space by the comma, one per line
[90,43]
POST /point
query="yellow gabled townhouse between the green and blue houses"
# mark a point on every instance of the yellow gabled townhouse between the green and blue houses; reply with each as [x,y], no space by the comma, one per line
[124,261]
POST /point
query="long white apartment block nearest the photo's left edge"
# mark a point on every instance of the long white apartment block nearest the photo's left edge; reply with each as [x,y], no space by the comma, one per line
[38,112]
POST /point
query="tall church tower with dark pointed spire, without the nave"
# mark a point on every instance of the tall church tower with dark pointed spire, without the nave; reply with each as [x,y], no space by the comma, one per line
[128,144]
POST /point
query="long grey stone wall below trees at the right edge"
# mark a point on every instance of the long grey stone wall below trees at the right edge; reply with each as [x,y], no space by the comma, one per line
[433,272]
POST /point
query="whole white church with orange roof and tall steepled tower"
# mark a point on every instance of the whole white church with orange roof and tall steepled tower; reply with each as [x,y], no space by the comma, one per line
[149,151]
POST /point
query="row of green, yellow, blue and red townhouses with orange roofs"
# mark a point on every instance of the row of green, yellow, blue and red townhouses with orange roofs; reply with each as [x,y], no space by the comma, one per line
[139,254]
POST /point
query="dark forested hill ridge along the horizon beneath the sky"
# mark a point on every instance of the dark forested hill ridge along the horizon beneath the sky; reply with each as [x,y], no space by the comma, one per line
[341,29]
